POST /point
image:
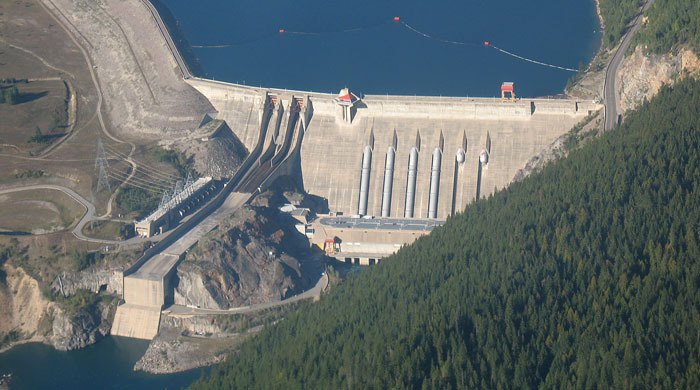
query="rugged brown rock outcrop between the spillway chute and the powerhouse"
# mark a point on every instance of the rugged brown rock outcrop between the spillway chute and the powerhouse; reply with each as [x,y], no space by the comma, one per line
[245,262]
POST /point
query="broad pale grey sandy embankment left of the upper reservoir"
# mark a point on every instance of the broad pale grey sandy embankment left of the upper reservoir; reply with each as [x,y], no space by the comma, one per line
[143,90]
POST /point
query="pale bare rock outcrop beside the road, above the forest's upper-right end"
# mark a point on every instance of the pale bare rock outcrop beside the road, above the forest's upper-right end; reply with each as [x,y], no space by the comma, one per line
[641,76]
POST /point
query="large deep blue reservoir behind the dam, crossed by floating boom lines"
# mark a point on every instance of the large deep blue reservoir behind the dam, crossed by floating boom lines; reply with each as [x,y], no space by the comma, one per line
[435,48]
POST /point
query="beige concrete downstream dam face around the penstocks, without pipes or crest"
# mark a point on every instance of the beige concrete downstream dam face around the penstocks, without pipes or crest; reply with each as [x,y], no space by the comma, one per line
[331,157]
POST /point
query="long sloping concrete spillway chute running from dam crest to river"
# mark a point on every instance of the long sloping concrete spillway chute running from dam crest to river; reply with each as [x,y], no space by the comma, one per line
[148,284]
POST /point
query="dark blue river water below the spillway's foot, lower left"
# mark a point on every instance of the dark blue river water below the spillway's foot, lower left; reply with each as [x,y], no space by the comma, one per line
[105,365]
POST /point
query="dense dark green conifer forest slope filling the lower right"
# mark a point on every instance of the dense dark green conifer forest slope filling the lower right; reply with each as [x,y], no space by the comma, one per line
[584,275]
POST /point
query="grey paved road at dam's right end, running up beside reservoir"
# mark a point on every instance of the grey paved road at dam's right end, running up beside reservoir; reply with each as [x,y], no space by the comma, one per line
[610,89]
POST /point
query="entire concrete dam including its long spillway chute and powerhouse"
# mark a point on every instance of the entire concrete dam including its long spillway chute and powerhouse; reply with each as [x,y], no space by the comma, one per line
[391,168]
